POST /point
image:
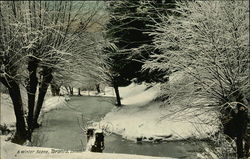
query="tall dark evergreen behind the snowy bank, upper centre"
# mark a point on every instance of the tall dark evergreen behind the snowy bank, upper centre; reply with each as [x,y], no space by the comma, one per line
[128,27]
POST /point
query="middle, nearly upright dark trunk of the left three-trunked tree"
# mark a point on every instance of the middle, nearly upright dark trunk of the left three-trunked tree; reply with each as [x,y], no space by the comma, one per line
[31,92]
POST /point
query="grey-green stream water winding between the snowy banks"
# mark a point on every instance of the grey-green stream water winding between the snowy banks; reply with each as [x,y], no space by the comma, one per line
[60,129]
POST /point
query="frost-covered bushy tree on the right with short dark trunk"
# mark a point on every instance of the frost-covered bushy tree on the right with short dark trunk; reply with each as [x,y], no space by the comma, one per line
[208,45]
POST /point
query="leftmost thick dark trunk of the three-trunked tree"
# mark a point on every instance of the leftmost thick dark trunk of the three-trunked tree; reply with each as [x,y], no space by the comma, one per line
[15,94]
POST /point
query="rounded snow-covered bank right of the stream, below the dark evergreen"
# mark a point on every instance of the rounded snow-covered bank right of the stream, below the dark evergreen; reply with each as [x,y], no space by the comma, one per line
[142,117]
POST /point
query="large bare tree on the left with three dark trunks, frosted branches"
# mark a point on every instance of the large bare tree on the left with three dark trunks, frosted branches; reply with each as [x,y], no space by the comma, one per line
[40,36]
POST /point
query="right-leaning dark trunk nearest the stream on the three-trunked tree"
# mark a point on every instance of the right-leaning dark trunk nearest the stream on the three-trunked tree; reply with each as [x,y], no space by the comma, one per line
[47,78]
